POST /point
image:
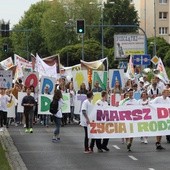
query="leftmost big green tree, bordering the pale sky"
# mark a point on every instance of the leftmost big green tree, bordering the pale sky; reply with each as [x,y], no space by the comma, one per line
[27,34]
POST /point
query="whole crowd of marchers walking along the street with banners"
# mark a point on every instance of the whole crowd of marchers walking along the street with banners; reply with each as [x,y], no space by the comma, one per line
[153,91]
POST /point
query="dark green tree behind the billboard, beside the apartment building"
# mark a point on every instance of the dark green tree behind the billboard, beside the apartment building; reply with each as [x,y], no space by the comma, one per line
[121,12]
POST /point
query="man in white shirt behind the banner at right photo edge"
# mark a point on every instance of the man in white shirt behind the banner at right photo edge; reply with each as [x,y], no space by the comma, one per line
[164,99]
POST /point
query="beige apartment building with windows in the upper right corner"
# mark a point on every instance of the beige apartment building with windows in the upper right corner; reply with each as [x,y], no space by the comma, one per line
[154,17]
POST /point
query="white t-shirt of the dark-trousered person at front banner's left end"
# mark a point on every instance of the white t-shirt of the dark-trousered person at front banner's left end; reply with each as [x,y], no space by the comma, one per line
[85,106]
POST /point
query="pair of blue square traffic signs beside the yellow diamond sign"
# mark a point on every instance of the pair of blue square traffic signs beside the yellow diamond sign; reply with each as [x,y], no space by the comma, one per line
[141,59]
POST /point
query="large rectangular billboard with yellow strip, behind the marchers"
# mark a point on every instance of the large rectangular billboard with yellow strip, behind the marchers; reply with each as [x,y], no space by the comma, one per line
[128,44]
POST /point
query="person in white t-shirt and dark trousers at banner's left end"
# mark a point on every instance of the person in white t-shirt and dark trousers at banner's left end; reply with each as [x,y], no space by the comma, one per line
[84,119]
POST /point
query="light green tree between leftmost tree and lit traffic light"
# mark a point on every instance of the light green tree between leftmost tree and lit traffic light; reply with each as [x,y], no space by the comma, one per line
[53,27]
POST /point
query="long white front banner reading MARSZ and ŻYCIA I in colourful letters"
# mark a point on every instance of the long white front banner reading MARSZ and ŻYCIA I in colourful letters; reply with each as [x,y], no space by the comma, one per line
[129,121]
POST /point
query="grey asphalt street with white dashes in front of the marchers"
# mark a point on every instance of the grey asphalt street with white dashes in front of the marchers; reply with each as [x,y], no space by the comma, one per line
[39,153]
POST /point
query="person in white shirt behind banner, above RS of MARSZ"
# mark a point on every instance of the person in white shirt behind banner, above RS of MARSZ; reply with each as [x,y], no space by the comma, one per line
[131,101]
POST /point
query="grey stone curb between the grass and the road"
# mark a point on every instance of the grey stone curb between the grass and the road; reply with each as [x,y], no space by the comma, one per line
[12,154]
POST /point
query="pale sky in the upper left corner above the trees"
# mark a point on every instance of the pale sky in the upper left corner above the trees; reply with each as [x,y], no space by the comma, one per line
[13,10]
